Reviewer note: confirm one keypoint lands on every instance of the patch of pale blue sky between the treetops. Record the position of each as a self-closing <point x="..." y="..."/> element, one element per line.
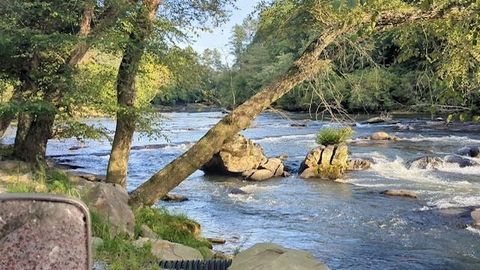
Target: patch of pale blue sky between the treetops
<point x="219" y="37"/>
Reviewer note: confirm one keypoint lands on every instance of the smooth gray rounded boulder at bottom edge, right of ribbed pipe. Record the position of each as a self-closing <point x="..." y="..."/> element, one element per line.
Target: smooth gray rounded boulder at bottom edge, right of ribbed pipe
<point x="275" y="257"/>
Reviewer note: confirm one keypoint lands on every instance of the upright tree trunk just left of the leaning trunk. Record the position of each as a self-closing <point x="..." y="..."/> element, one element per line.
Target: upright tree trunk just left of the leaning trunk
<point x="126" y="93"/>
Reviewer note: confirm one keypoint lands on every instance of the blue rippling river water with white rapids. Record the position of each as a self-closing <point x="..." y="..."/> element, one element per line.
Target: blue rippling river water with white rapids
<point x="347" y="225"/>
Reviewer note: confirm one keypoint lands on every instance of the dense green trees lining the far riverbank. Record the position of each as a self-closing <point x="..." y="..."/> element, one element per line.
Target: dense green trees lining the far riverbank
<point x="420" y="67"/>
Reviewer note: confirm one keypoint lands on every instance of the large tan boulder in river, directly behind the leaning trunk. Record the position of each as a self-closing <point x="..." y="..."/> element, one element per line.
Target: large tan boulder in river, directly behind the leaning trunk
<point x="242" y="156"/>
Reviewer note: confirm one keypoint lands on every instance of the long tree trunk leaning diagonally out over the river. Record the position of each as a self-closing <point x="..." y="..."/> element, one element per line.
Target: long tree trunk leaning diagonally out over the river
<point x="305" y="67"/>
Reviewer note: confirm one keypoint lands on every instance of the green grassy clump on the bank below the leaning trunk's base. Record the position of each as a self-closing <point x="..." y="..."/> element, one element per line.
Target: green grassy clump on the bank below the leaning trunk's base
<point x="172" y="227"/>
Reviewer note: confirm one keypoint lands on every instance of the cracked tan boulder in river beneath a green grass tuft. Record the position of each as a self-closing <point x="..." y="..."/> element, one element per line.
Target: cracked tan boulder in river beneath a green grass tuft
<point x="328" y="162"/>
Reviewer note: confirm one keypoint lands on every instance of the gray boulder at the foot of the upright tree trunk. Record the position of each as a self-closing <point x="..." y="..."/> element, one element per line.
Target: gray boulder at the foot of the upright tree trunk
<point x="111" y="202"/>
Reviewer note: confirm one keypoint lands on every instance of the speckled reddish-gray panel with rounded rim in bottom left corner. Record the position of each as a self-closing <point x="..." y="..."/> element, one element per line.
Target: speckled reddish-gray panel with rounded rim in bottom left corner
<point x="44" y="231"/>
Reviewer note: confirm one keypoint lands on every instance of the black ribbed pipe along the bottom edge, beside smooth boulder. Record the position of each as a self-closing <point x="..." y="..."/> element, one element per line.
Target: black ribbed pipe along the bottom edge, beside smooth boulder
<point x="196" y="265"/>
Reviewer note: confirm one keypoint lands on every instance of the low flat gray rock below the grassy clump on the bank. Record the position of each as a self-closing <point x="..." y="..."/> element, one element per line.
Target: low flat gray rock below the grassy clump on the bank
<point x="168" y="251"/>
